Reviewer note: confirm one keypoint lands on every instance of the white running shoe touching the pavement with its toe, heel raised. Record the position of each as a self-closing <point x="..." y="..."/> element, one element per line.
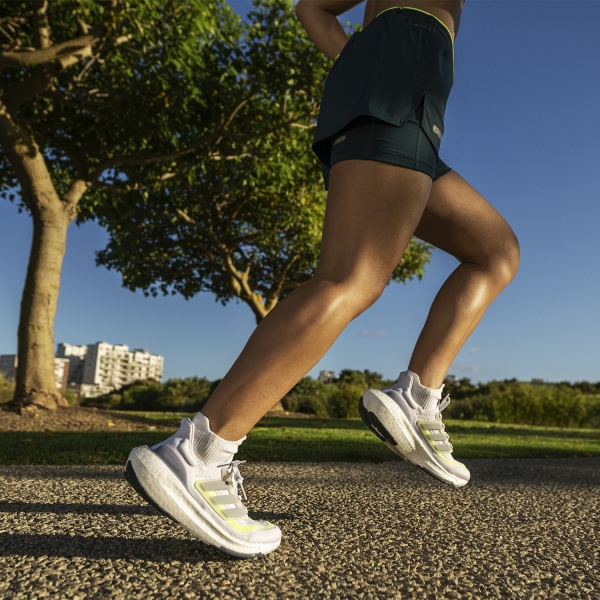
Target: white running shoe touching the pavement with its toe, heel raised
<point x="203" y="499"/>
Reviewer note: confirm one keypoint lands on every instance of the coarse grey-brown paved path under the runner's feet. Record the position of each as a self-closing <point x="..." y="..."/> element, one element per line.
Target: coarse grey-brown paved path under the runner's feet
<point x="521" y="529"/>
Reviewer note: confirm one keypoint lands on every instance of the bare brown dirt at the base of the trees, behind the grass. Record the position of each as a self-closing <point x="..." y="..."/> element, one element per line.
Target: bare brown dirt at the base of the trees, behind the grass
<point x="77" y="418"/>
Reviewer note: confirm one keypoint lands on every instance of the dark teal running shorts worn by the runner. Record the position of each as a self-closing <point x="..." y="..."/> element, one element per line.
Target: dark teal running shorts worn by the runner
<point x="386" y="94"/>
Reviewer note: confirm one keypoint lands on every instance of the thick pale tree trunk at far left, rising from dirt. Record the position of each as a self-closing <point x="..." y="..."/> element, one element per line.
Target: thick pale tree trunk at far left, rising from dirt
<point x="51" y="216"/>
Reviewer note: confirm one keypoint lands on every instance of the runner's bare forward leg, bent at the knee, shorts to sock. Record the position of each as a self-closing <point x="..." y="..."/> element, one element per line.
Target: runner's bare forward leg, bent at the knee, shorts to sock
<point x="458" y="220"/>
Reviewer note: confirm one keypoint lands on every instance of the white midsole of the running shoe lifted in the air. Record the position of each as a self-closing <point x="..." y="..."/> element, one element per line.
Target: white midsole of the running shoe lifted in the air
<point x="410" y="445"/>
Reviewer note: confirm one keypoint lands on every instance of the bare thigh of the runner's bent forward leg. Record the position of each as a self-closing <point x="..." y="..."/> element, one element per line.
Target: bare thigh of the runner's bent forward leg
<point x="460" y="221"/>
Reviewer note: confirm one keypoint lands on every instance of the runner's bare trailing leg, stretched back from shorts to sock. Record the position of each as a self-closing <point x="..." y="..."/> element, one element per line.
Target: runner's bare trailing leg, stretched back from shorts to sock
<point x="372" y="211"/>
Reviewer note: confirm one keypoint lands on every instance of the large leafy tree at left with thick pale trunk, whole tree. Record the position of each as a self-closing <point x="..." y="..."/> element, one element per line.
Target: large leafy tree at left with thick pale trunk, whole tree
<point x="97" y="98"/>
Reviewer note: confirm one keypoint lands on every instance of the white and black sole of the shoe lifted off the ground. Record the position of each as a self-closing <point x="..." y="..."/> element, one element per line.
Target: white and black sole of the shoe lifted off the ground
<point x="387" y="421"/>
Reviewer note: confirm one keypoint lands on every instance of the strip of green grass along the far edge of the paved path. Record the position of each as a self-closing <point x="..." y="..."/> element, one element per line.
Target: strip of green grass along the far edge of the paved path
<point x="282" y="439"/>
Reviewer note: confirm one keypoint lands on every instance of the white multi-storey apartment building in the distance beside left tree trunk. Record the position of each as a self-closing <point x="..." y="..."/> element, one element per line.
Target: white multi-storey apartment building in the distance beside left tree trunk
<point x="102" y="368"/>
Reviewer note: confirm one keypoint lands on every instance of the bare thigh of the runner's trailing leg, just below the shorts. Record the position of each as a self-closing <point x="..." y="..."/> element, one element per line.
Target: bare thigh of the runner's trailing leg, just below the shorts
<point x="372" y="211"/>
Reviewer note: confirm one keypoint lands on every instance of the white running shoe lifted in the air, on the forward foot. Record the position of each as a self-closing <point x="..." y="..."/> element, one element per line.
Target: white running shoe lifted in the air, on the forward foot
<point x="418" y="436"/>
